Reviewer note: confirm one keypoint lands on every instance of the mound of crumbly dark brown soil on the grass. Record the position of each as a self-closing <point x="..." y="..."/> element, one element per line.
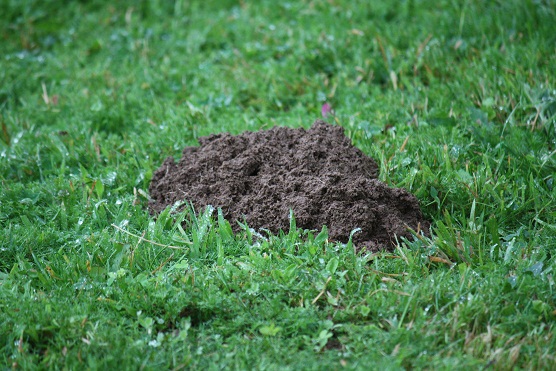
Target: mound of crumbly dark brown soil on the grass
<point x="259" y="176"/>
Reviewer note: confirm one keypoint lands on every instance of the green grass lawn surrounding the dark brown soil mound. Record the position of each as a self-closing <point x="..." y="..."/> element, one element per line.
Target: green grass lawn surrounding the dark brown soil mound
<point x="456" y="100"/>
